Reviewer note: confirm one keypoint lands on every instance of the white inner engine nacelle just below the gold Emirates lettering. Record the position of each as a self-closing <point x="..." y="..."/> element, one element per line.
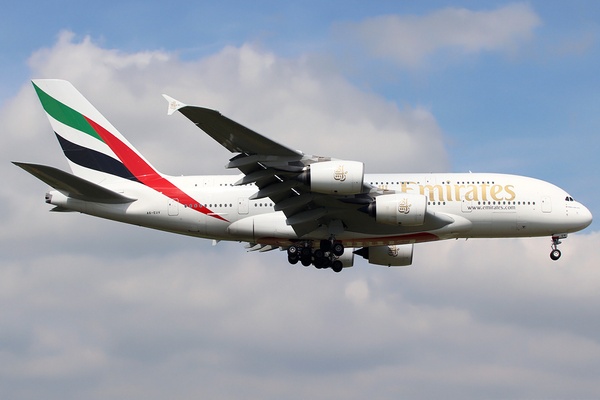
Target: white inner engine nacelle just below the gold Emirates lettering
<point x="404" y="209"/>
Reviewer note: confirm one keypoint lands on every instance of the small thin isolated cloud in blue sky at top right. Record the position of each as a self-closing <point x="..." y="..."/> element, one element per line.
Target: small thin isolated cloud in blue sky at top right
<point x="412" y="40"/>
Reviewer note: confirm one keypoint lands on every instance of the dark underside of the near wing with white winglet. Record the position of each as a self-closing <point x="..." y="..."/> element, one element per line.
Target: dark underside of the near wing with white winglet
<point x="281" y="175"/>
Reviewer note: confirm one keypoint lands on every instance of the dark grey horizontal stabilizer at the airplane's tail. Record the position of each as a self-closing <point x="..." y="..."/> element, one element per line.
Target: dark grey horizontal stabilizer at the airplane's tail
<point x="74" y="186"/>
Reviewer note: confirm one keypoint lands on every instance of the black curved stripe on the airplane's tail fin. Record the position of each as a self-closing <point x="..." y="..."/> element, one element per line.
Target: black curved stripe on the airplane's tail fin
<point x="93" y="159"/>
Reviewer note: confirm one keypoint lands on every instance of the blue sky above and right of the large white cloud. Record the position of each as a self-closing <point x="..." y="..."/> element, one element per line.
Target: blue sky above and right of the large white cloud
<point x="540" y="93"/>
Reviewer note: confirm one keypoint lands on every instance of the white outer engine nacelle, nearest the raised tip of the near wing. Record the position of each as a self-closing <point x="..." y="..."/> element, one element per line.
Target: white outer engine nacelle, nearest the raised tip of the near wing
<point x="336" y="177"/>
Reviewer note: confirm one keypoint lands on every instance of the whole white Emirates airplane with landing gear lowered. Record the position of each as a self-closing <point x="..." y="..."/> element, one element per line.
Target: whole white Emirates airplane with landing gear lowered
<point x="320" y="210"/>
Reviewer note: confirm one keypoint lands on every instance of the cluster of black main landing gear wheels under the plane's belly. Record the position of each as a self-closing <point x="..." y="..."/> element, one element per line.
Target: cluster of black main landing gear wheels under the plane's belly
<point x="325" y="256"/>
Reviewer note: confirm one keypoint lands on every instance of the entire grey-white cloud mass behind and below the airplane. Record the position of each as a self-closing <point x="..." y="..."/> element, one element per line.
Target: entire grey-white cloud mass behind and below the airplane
<point x="93" y="309"/>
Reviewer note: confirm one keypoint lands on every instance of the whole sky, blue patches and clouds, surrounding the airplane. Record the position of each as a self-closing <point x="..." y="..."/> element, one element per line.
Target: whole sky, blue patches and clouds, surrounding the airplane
<point x="94" y="309"/>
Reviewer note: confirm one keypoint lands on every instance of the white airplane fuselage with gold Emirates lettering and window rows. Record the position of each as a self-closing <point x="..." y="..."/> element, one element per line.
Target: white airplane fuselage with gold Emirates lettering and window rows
<point x="479" y="204"/>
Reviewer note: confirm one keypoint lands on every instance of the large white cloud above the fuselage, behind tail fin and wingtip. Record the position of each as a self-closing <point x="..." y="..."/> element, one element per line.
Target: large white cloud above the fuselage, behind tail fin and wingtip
<point x="289" y="100"/>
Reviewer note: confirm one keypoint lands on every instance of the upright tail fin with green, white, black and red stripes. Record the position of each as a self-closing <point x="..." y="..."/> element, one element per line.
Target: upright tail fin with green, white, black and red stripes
<point x="93" y="147"/>
